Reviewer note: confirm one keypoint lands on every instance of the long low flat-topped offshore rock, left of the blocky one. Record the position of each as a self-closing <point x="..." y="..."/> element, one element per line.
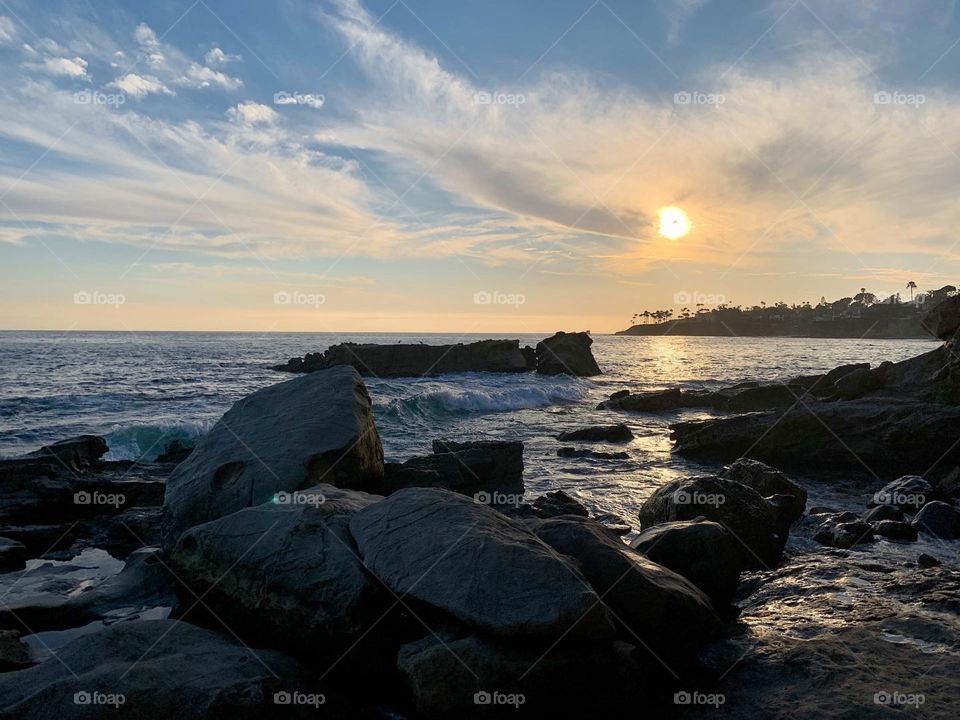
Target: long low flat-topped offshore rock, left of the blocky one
<point x="415" y="360"/>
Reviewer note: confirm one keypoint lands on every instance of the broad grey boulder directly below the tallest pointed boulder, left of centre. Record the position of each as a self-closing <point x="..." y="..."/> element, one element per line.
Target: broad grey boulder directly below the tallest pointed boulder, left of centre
<point x="287" y="574"/>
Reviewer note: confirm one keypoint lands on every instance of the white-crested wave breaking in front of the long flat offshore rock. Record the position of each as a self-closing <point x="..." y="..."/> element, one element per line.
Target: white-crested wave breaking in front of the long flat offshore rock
<point x="461" y="402"/>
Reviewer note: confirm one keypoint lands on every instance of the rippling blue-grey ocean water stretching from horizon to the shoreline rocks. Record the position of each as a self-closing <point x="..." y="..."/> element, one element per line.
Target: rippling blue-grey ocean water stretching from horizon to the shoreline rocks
<point x="142" y="390"/>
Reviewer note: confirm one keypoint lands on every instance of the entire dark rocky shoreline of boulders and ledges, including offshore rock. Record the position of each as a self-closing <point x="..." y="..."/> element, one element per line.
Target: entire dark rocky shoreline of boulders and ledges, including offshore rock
<point x="281" y="567"/>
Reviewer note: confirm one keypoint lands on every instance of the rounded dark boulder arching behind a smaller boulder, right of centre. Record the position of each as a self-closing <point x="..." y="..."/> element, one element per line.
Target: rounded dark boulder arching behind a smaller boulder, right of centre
<point x="738" y="508"/>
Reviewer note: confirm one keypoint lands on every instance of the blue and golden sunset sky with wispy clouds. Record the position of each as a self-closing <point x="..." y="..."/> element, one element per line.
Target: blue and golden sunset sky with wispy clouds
<point x="469" y="167"/>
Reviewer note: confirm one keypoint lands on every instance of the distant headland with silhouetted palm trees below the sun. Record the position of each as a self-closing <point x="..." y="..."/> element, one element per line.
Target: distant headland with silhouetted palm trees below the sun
<point x="862" y="316"/>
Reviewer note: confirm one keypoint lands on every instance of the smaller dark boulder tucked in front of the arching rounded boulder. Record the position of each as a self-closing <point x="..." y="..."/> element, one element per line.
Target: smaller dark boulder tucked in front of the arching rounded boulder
<point x="702" y="552"/>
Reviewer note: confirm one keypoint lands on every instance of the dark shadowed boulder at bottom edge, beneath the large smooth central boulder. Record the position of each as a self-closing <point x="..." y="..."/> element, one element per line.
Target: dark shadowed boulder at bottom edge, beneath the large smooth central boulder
<point x="476" y="677"/>
